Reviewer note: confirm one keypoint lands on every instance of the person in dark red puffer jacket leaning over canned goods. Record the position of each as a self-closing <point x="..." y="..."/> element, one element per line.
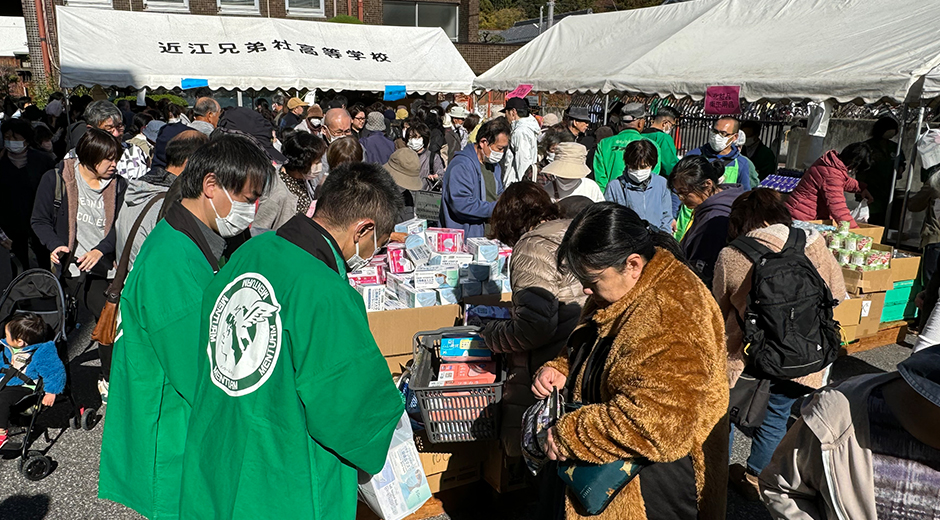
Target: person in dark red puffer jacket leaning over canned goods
<point x="820" y="194"/>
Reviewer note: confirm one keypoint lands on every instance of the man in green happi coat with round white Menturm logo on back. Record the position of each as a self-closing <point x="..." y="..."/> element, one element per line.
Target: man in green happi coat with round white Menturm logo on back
<point x="293" y="397"/>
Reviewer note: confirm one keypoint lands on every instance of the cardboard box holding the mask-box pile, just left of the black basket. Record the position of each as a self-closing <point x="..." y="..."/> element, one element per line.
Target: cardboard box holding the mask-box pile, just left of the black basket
<point x="394" y="330"/>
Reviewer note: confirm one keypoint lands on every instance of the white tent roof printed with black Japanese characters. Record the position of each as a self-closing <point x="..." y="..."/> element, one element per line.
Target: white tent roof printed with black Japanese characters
<point x="163" y="49"/>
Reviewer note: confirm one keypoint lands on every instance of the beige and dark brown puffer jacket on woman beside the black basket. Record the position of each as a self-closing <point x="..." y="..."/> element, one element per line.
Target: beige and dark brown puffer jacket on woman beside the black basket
<point x="545" y="309"/>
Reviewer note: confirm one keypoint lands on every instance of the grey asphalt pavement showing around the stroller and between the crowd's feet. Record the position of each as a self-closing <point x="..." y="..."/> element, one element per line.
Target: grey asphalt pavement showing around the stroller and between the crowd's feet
<point x="70" y="491"/>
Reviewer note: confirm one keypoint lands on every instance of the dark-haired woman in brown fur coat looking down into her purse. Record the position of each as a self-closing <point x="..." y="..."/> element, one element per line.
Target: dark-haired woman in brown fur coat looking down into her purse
<point x="654" y="383"/>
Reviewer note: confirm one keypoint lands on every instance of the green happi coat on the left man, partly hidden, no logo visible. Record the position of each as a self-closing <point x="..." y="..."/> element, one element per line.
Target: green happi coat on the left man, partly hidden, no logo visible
<point x="153" y="372"/>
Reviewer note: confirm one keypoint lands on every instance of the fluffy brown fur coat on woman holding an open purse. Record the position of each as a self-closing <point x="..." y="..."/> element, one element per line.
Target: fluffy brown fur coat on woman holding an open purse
<point x="665" y="388"/>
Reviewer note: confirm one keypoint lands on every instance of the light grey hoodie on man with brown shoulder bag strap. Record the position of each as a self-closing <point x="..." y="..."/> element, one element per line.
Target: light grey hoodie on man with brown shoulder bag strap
<point x="139" y="192"/>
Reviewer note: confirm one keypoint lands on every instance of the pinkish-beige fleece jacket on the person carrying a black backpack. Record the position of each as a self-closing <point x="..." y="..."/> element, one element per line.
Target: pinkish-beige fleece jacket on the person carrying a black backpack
<point x="732" y="284"/>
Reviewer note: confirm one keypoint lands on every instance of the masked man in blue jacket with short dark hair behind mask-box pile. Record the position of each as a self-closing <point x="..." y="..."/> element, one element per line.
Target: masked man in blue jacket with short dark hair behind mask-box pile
<point x="473" y="180"/>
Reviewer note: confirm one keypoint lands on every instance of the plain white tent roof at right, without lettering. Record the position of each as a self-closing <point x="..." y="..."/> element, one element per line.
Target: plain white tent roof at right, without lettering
<point x="773" y="49"/>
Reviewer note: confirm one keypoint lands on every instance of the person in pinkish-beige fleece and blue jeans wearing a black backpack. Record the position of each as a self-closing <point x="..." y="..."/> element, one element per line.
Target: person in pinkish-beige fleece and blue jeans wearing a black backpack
<point x="761" y="215"/>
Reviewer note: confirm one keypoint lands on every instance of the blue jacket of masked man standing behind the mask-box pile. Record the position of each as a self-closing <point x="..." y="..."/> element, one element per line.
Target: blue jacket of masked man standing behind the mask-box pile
<point x="463" y="201"/>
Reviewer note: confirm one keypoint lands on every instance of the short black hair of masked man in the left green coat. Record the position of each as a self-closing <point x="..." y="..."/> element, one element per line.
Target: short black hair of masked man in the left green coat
<point x="236" y="160"/>
